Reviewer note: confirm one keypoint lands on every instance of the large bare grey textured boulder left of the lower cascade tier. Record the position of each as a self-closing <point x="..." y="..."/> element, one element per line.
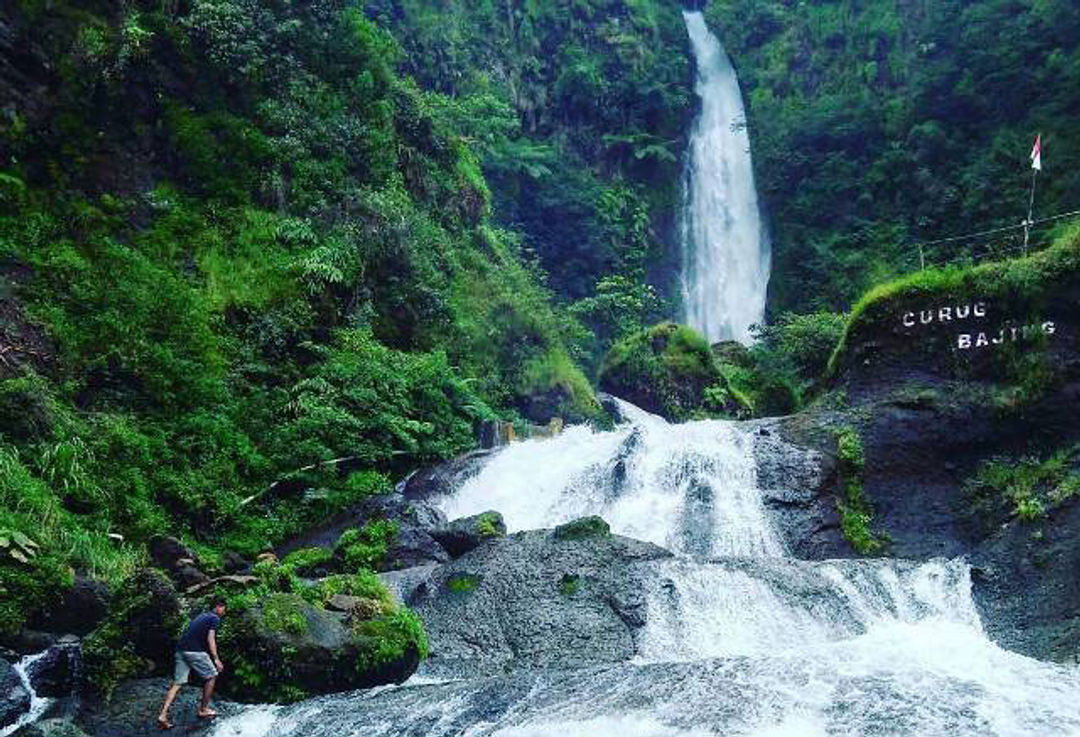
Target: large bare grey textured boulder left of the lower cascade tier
<point x="532" y="600"/>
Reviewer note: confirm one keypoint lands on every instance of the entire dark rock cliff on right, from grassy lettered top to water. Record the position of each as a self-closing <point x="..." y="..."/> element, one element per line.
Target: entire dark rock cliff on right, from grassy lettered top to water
<point x="964" y="390"/>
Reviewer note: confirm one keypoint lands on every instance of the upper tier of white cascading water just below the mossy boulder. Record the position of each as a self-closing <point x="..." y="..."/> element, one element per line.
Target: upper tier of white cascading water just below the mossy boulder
<point x="691" y="488"/>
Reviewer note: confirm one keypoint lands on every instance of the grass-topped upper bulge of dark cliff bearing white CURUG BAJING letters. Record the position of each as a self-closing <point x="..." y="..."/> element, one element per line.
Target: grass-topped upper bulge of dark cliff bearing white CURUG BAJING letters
<point x="1009" y="323"/>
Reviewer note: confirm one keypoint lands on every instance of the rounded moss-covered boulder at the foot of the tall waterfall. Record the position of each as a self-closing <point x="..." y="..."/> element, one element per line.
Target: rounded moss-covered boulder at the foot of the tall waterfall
<point x="668" y="370"/>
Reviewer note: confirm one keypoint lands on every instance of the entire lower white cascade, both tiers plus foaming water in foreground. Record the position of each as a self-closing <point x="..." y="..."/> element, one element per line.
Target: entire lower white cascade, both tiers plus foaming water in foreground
<point x="739" y="637"/>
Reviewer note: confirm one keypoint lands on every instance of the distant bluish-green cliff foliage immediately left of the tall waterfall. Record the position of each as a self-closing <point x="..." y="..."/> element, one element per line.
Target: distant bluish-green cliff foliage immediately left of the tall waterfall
<point x="580" y="131"/>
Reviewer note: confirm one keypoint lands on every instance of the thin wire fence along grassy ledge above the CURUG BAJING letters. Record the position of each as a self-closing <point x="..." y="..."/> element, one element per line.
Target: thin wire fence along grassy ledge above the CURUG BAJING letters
<point x="995" y="245"/>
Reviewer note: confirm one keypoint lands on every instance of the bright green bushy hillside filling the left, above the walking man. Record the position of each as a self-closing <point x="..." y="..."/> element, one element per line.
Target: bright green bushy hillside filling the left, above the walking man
<point x="232" y="354"/>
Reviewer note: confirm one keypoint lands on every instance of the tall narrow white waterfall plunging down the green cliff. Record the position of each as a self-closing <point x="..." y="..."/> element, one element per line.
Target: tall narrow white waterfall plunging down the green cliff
<point x="725" y="247"/>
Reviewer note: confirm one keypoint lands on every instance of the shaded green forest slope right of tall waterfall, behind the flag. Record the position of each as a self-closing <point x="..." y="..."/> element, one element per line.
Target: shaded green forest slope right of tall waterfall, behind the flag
<point x="881" y="125"/>
